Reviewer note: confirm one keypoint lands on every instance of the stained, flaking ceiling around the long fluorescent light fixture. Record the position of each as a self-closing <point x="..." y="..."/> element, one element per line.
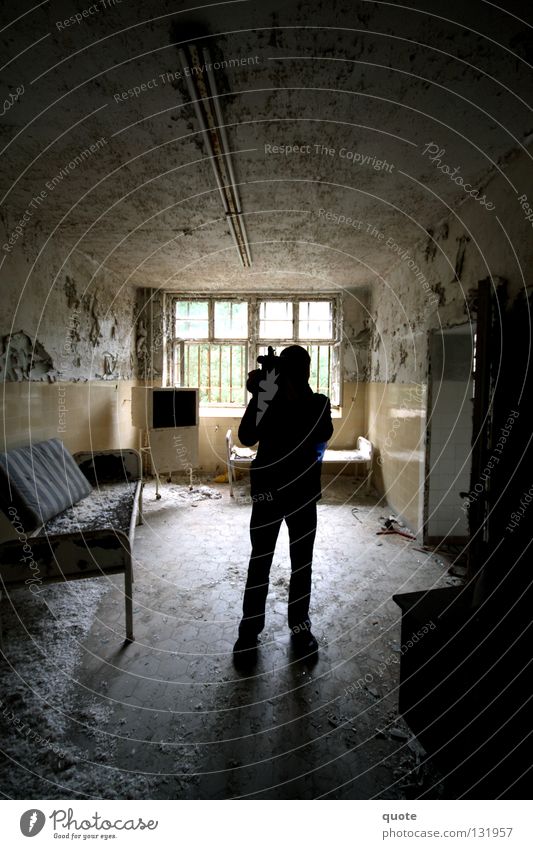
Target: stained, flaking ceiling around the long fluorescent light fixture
<point x="377" y="80"/>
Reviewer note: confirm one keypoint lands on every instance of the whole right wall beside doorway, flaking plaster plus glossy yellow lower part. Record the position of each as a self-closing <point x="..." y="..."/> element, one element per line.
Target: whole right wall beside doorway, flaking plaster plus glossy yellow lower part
<point x="468" y="246"/>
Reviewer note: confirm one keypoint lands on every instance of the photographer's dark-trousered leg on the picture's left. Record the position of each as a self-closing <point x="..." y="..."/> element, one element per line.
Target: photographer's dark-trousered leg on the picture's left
<point x="264" y="529"/>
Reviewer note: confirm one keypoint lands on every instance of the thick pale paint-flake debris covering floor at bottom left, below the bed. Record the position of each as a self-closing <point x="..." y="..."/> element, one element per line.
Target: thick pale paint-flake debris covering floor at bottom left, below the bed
<point x="41" y="715"/>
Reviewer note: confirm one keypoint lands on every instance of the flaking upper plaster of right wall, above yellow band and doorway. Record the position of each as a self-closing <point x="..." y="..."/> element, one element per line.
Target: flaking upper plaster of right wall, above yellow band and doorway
<point x="468" y="246"/>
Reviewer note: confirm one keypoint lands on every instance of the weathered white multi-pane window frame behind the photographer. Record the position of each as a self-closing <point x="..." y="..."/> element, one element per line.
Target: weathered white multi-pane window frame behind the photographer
<point x="253" y="341"/>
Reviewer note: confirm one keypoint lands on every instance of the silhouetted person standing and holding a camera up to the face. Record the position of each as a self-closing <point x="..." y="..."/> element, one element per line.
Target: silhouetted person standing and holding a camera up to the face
<point x="292" y="424"/>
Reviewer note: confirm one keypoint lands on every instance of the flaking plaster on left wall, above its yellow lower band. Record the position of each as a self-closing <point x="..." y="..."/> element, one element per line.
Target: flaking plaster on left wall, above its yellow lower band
<point x="76" y="325"/>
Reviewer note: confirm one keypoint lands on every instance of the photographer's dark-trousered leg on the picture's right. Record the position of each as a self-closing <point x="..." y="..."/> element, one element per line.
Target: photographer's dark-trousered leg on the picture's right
<point x="302" y="531"/>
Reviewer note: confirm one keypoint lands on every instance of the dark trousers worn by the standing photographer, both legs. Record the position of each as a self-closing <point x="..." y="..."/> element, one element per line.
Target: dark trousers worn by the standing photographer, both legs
<point x="265" y="523"/>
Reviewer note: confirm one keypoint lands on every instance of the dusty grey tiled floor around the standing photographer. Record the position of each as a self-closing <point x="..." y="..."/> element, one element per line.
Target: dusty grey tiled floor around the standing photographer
<point x="172" y="715"/>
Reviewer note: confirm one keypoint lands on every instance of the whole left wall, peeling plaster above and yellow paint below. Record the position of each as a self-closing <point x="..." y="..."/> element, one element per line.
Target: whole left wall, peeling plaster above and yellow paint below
<point x="67" y="356"/>
